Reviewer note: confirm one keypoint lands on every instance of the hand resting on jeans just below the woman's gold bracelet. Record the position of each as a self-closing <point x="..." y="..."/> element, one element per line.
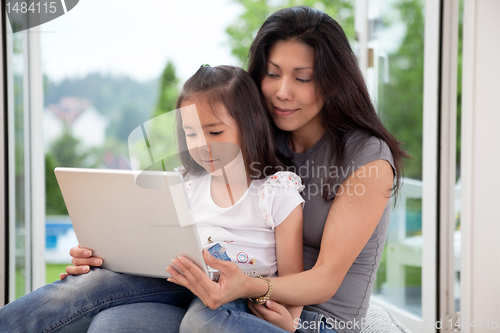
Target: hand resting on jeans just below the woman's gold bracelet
<point x="274" y="313"/>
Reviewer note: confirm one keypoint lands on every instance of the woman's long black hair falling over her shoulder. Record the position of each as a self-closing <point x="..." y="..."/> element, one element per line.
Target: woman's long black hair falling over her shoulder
<point x="347" y="106"/>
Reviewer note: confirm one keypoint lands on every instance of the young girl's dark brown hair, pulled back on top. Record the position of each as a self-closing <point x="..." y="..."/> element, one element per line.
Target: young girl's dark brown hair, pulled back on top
<point x="233" y="88"/>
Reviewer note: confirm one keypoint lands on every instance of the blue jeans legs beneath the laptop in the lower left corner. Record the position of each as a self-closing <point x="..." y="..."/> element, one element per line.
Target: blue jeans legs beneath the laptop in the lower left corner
<point x="100" y="301"/>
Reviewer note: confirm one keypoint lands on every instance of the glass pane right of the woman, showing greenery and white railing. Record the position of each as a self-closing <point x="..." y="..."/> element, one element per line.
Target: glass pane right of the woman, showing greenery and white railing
<point x="396" y="84"/>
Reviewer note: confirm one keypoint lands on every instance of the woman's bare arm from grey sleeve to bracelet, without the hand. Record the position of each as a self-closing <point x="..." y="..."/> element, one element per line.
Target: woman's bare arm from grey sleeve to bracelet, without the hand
<point x="352" y="218"/>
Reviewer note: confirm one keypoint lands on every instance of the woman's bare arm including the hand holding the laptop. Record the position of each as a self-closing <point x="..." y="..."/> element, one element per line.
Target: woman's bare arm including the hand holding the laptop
<point x="351" y="221"/>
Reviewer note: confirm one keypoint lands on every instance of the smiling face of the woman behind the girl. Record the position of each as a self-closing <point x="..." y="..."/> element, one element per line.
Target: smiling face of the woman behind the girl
<point x="290" y="89"/>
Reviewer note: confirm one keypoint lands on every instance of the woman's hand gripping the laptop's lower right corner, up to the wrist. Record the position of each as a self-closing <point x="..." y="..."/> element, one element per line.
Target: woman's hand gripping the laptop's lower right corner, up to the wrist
<point x="212" y="294"/>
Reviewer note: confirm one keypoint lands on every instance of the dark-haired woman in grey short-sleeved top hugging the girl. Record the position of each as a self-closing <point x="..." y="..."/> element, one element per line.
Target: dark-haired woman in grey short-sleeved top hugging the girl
<point x="329" y="131"/>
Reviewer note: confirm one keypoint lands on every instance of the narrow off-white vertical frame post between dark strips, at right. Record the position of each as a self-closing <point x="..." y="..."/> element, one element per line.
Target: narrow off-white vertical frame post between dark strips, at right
<point x="447" y="162"/>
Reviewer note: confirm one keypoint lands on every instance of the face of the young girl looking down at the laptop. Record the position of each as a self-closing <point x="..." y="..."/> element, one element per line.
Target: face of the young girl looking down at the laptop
<point x="213" y="142"/>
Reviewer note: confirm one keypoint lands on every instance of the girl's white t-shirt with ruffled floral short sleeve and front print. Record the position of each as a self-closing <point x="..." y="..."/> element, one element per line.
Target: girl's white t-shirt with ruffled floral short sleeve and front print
<point x="246" y="229"/>
